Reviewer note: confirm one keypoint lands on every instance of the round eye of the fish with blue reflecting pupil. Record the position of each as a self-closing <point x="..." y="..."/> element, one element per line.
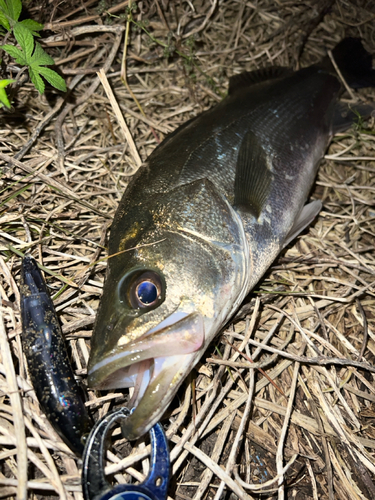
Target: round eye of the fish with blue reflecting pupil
<point x="145" y="290"/>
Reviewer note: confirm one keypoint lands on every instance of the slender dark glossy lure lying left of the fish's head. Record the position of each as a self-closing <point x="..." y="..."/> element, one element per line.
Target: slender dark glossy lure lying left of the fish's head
<point x="48" y="362"/>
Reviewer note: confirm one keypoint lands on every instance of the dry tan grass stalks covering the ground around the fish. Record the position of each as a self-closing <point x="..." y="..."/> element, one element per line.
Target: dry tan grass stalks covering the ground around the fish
<point x="65" y="166"/>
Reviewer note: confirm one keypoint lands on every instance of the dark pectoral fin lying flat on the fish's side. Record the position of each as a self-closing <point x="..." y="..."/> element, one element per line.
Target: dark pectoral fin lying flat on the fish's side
<point x="253" y="176"/>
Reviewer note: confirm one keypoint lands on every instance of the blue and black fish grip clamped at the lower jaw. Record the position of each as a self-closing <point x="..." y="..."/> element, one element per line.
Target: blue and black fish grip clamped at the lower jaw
<point x="94" y="484"/>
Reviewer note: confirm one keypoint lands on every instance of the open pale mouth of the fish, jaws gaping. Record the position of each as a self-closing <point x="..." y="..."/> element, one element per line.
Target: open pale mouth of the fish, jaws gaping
<point x="155" y="365"/>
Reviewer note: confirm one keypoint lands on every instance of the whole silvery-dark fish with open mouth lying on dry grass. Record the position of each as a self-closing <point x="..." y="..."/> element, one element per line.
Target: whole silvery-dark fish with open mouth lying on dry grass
<point x="204" y="218"/>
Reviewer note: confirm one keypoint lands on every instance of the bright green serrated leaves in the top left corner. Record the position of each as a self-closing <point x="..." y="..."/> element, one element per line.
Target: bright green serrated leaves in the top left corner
<point x="30" y="54"/>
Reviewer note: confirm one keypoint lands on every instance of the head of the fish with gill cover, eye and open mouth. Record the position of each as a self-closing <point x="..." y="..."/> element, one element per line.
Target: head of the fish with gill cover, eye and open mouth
<point x="177" y="272"/>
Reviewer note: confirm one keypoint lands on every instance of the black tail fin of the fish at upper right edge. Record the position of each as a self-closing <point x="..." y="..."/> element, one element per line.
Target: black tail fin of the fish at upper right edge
<point x="354" y="63"/>
